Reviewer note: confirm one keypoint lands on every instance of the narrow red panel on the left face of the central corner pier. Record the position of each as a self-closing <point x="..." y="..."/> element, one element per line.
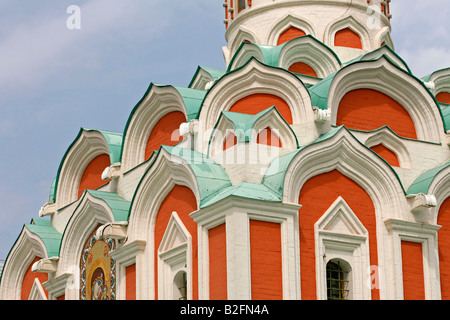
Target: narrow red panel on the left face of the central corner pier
<point x="217" y="263"/>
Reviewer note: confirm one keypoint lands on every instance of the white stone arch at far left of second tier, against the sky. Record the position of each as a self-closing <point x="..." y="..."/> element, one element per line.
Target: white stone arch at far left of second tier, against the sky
<point x="87" y="146"/>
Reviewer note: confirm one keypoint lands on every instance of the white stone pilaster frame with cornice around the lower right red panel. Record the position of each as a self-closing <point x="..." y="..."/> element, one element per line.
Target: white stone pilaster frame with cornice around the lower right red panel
<point x="426" y="234"/>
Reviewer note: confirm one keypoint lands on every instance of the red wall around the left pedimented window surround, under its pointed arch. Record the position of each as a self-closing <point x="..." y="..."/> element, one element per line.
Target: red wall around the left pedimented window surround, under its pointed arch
<point x="182" y="200"/>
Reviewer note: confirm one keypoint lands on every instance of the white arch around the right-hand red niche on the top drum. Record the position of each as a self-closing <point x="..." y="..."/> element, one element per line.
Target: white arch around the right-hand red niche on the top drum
<point x="353" y="24"/>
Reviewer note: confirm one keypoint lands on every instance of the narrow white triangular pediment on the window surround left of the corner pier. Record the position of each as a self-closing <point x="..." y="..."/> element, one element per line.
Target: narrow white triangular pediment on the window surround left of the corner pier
<point x="175" y="235"/>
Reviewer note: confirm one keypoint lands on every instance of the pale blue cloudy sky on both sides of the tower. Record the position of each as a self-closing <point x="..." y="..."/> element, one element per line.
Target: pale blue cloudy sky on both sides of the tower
<point x="54" y="80"/>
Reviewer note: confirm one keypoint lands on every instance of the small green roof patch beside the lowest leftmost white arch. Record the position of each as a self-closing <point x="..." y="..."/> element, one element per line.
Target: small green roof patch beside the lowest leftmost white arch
<point x="48" y="234"/>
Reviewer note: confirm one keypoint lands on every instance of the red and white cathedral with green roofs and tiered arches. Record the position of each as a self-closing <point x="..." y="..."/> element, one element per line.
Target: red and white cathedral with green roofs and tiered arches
<point x="316" y="166"/>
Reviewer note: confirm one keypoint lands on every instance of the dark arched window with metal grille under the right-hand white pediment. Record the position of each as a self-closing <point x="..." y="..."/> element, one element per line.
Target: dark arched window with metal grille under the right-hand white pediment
<point x="337" y="281"/>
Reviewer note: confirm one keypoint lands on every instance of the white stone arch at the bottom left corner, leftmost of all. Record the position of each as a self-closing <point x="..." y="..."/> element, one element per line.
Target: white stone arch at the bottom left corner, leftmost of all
<point x="27" y="246"/>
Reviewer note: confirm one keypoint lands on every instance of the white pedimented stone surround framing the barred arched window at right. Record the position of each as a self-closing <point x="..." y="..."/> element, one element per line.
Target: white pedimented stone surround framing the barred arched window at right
<point x="340" y="235"/>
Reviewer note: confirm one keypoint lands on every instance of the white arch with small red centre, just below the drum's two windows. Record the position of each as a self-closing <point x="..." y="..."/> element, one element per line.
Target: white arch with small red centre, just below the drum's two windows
<point x="312" y="52"/>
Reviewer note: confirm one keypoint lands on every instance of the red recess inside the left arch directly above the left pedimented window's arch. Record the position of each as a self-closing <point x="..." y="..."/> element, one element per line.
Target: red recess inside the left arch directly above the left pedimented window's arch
<point x="162" y="132"/>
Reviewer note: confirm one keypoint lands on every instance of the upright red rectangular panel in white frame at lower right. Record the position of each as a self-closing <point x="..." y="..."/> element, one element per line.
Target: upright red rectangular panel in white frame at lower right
<point x="412" y="265"/>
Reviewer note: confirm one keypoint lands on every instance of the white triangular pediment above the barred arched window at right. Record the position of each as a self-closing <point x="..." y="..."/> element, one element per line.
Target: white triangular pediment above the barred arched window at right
<point x="339" y="218"/>
